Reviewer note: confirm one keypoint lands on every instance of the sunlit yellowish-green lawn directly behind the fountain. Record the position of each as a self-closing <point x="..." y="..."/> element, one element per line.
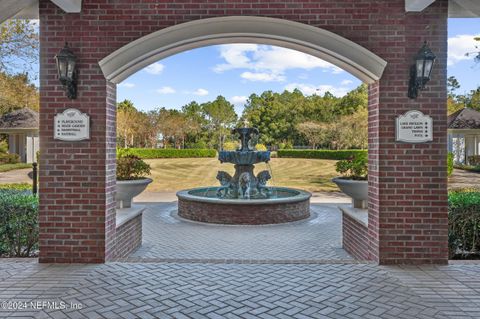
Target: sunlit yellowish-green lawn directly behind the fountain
<point x="174" y="174"/>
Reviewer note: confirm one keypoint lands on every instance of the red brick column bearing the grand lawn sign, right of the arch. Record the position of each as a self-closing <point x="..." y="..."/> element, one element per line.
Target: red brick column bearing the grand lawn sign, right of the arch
<point x="408" y="220"/>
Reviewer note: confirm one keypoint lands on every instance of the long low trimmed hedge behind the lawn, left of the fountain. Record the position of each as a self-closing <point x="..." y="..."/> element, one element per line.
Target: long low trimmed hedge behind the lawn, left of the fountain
<point x="150" y="153"/>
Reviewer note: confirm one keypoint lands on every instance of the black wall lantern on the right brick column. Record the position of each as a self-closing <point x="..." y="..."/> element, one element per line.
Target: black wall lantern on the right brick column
<point x="420" y="72"/>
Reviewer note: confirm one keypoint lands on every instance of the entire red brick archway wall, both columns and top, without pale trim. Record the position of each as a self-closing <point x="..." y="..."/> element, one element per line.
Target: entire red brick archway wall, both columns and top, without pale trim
<point x="408" y="220"/>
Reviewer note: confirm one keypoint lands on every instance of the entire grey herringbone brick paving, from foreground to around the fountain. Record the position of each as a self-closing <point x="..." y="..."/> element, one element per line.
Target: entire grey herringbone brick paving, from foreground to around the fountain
<point x="201" y="286"/>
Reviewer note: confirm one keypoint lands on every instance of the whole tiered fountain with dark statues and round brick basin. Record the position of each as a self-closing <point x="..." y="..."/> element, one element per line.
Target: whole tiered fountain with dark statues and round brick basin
<point x="244" y="198"/>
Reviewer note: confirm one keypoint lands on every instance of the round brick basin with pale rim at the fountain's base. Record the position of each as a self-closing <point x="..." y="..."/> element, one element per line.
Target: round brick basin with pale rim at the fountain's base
<point x="202" y="205"/>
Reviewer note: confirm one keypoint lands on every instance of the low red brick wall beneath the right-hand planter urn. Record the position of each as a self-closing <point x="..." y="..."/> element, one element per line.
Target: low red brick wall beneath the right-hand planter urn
<point x="355" y="238"/>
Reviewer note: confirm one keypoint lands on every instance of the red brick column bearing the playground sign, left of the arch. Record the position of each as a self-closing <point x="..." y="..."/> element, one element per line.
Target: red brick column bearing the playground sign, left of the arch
<point x="77" y="179"/>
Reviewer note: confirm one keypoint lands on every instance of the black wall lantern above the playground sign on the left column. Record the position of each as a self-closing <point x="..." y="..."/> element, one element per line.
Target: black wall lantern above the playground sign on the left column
<point x="67" y="74"/>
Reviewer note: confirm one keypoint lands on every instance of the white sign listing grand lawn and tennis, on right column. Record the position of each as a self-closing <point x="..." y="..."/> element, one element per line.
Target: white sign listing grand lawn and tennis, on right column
<point x="414" y="127"/>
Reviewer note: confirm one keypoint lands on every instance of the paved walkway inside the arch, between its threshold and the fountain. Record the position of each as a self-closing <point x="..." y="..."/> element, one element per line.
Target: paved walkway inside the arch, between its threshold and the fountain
<point x="168" y="237"/>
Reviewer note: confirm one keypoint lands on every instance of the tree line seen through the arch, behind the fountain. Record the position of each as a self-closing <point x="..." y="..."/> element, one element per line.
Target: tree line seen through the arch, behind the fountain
<point x="283" y="119"/>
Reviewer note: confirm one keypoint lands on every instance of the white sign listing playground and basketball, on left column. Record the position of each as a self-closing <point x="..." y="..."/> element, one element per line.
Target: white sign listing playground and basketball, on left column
<point x="72" y="125"/>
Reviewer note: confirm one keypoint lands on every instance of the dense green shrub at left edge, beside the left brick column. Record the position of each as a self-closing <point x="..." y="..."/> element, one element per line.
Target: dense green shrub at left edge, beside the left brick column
<point x="18" y="223"/>
